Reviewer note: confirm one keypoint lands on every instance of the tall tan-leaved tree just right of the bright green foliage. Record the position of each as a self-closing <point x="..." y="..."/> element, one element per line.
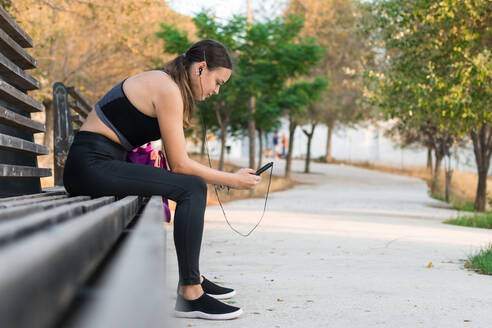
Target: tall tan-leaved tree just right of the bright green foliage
<point x="334" y="24"/>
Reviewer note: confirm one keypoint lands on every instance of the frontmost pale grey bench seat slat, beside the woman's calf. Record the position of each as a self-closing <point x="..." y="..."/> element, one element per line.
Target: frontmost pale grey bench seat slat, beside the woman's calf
<point x="131" y="292"/>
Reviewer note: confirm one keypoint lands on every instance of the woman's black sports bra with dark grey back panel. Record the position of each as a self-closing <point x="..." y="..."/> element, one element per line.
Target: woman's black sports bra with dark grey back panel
<point x="132" y="127"/>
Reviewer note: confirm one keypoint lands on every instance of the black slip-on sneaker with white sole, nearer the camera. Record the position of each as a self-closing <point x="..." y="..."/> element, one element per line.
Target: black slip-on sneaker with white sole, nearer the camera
<point x="205" y="307"/>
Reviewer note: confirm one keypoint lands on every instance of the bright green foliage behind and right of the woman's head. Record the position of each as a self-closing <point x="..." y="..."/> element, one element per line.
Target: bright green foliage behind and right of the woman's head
<point x="265" y="56"/>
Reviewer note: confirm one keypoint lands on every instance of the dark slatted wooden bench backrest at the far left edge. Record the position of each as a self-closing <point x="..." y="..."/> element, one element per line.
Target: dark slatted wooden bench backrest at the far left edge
<point x="19" y="171"/>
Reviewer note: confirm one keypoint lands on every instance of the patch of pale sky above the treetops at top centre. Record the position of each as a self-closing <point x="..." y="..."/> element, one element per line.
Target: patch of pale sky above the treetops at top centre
<point x="224" y="9"/>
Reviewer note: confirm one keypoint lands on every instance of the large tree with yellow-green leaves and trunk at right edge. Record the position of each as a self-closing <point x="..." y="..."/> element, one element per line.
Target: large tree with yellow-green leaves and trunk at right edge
<point x="438" y="69"/>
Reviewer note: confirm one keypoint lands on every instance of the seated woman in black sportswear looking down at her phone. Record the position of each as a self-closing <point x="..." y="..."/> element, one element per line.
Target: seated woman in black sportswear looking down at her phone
<point x="149" y="106"/>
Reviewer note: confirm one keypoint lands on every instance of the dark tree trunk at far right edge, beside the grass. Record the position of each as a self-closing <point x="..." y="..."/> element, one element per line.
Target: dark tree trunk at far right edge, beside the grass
<point x="482" y="147"/>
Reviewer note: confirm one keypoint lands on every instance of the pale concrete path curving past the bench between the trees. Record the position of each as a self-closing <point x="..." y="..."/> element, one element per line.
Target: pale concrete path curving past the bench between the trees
<point x="349" y="249"/>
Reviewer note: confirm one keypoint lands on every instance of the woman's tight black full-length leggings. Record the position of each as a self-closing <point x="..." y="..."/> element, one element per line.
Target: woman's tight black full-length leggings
<point x="96" y="167"/>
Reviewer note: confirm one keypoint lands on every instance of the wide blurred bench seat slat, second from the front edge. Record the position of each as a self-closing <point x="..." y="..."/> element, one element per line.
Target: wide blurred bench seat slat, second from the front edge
<point x="39" y="277"/>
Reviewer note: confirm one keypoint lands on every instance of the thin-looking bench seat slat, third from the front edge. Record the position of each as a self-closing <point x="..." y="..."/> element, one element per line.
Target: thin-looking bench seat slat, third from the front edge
<point x="12" y="230"/>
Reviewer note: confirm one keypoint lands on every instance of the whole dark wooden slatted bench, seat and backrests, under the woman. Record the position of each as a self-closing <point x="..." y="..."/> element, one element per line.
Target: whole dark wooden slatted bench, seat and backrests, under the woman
<point x="67" y="261"/>
